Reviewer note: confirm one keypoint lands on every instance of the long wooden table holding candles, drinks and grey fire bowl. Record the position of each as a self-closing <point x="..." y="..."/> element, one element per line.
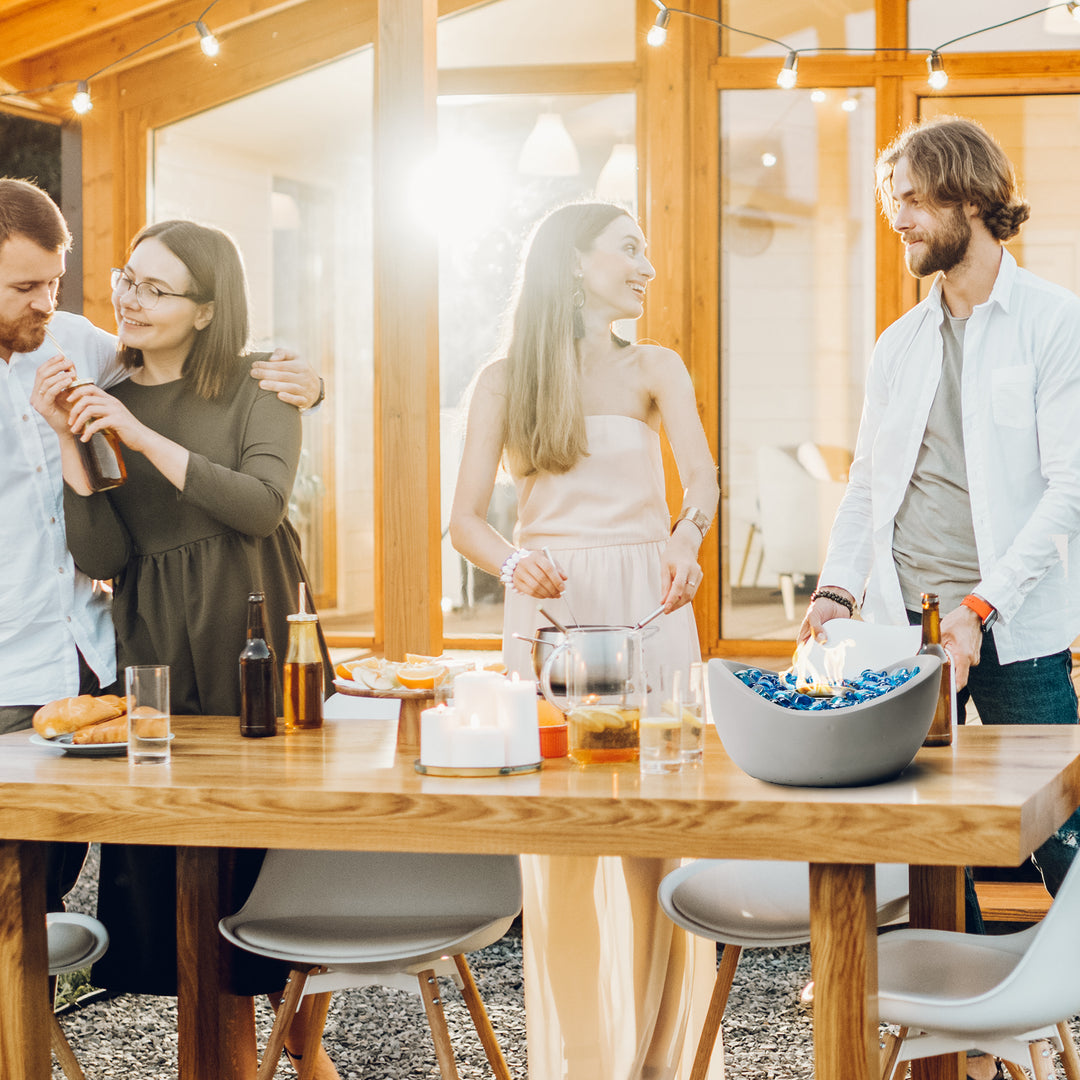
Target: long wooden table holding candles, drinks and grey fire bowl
<point x="989" y="801"/>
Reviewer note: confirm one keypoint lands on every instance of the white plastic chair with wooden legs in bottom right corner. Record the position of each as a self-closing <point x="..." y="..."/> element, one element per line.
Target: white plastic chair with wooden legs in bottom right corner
<point x="1002" y="994"/>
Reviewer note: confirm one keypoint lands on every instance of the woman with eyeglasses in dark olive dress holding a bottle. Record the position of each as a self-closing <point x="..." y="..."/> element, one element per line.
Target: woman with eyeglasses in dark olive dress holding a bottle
<point x="199" y="525"/>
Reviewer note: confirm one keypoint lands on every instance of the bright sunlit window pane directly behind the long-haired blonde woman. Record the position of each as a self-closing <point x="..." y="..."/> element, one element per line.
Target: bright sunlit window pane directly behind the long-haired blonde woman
<point x="490" y="207"/>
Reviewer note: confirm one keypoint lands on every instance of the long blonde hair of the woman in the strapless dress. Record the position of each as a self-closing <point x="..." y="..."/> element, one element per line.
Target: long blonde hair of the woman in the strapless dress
<point x="546" y="425"/>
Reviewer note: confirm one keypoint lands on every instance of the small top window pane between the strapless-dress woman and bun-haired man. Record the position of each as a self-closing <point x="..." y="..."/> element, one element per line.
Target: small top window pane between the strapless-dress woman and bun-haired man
<point x="805" y="25"/>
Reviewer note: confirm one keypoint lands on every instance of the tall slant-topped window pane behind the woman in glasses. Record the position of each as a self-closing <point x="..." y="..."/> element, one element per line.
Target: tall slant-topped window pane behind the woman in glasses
<point x="300" y="207"/>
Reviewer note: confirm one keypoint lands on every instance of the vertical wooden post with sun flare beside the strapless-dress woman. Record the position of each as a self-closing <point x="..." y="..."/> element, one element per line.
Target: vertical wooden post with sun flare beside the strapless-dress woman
<point x="407" y="334"/>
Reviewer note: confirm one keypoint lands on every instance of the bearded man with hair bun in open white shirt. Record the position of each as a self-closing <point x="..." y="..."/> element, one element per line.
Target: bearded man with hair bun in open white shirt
<point x="966" y="480"/>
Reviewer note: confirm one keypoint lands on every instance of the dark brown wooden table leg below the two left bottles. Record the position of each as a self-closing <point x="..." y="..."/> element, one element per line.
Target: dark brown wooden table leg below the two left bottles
<point x="217" y="1029"/>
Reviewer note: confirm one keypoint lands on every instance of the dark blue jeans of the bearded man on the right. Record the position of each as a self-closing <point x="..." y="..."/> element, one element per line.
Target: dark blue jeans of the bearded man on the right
<point x="1029" y="692"/>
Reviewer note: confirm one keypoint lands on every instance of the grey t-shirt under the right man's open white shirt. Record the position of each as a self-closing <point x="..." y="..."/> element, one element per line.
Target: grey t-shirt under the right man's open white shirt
<point x="934" y="543"/>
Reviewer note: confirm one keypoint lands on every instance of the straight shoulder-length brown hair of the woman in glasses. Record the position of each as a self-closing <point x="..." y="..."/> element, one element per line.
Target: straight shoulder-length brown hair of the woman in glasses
<point x="218" y="274"/>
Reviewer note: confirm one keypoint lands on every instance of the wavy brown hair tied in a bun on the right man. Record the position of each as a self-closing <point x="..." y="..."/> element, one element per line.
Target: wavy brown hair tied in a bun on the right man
<point x="954" y="160"/>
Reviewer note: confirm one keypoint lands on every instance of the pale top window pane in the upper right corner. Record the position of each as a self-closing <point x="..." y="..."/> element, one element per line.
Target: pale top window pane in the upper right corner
<point x="931" y="23"/>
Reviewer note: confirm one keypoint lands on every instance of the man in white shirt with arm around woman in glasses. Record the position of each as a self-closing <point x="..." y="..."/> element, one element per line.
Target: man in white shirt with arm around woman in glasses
<point x="56" y="632"/>
